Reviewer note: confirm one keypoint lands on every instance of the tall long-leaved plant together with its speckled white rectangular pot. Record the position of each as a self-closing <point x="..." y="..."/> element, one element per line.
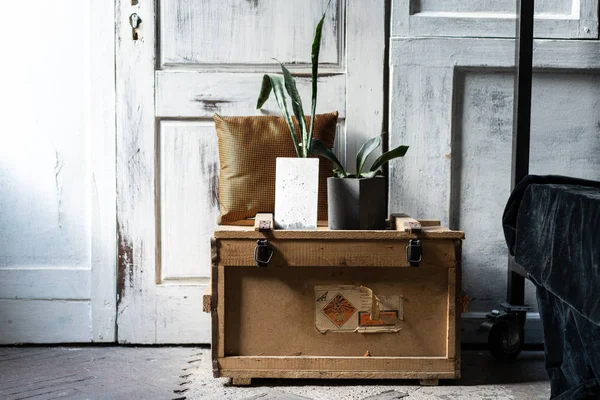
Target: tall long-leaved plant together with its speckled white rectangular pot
<point x="296" y="182"/>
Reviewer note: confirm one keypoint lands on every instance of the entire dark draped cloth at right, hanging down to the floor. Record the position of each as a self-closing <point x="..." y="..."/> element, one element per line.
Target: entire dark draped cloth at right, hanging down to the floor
<point x="552" y="228"/>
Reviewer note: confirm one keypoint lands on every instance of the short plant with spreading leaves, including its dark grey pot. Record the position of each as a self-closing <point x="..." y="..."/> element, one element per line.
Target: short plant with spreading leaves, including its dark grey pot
<point x="358" y="201"/>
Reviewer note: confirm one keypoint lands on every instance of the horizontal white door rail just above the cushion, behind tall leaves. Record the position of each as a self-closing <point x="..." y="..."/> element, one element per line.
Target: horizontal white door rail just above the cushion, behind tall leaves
<point x="201" y="95"/>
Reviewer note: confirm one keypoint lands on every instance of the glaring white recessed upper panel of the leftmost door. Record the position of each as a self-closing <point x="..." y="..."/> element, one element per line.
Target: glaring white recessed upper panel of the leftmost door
<point x="44" y="210"/>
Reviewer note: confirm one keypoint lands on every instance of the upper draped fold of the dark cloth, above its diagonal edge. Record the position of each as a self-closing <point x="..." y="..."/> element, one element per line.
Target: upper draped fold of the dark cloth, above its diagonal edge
<point x="552" y="228"/>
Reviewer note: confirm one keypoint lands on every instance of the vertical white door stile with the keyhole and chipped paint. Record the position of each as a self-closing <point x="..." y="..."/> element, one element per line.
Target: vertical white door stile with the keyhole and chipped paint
<point x="136" y="210"/>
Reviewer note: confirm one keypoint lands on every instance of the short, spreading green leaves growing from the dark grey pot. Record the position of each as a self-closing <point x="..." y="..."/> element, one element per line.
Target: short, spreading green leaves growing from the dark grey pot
<point x="319" y="149"/>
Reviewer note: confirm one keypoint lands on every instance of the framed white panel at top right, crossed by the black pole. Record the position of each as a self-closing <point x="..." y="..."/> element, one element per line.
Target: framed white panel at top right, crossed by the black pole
<point x="565" y="19"/>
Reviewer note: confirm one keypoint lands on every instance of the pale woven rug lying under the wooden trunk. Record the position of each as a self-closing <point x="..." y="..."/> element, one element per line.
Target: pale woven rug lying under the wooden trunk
<point x="529" y="383"/>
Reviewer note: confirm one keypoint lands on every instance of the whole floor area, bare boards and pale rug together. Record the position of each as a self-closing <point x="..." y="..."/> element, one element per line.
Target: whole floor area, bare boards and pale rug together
<point x="185" y="373"/>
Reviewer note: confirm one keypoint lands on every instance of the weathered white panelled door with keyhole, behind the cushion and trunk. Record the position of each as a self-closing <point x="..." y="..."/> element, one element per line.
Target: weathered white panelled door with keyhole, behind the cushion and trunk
<point x="190" y="60"/>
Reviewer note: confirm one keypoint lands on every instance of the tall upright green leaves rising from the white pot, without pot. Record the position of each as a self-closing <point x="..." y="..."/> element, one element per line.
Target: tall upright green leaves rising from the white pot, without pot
<point x="280" y="84"/>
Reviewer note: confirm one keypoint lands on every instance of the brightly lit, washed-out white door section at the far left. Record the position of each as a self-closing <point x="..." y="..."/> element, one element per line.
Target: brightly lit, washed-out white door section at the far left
<point x="56" y="172"/>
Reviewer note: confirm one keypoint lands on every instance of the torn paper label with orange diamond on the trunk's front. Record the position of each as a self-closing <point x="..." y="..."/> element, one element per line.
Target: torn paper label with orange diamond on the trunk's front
<point x="349" y="308"/>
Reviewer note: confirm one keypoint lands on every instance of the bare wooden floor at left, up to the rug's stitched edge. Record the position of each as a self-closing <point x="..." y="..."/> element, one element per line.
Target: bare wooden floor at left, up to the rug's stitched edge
<point x="36" y="373"/>
